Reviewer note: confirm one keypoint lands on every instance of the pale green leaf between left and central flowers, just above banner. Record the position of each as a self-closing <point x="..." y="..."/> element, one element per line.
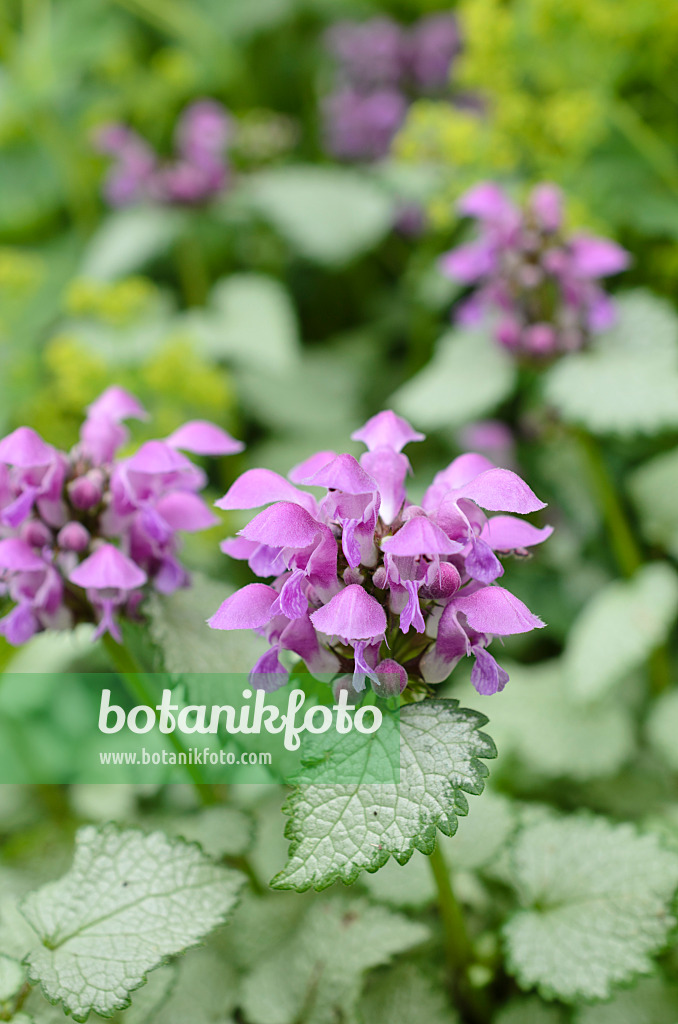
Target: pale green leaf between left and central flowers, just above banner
<point x="179" y="628"/>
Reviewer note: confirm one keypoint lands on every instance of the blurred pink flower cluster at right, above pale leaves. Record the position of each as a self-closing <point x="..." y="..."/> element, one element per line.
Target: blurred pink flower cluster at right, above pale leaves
<point x="540" y="286"/>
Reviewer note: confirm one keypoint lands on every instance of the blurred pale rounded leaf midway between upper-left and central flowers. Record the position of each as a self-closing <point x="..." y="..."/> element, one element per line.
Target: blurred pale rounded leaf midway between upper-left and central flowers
<point x="252" y="322"/>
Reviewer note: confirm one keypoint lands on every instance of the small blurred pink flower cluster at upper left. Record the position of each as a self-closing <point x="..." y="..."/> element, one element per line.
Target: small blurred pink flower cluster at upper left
<point x="199" y="172"/>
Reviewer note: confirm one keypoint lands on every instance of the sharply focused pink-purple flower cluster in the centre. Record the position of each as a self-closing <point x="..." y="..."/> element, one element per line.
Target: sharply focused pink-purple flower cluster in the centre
<point x="367" y="585"/>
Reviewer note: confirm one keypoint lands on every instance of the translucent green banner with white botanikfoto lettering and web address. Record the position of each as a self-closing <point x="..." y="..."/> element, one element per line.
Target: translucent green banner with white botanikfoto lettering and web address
<point x="204" y="729"/>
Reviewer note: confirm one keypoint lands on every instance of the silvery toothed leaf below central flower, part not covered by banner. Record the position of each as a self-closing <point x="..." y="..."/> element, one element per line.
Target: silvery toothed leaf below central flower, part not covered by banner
<point x="338" y="831"/>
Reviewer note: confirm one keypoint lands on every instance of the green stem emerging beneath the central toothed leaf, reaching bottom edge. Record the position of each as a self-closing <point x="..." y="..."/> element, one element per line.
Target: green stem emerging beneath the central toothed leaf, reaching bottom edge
<point x="459" y="951"/>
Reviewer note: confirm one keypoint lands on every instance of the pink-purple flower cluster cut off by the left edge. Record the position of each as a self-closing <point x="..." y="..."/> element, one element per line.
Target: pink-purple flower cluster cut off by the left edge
<point x="82" y="533"/>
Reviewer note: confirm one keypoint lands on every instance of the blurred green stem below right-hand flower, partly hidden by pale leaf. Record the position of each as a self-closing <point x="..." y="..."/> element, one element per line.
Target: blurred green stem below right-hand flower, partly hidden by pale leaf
<point x="627" y="550"/>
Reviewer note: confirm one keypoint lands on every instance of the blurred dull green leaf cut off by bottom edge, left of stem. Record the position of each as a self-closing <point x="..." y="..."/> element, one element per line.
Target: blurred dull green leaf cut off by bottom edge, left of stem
<point x="406" y="994"/>
